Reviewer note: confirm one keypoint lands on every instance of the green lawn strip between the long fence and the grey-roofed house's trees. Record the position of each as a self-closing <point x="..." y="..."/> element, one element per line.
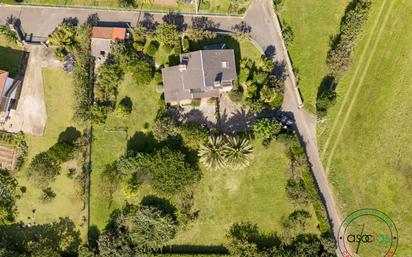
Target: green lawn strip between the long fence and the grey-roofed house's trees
<point x="111" y="141"/>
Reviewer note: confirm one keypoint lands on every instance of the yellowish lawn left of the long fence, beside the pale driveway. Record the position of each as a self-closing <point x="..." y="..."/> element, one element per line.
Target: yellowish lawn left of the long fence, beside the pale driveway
<point x="59" y="100"/>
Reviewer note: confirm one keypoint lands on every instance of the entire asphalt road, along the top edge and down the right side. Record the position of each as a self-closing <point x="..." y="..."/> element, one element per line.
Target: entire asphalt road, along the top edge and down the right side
<point x="264" y="30"/>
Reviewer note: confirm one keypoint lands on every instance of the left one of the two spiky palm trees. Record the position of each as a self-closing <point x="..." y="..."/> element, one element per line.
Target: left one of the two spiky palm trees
<point x="212" y="153"/>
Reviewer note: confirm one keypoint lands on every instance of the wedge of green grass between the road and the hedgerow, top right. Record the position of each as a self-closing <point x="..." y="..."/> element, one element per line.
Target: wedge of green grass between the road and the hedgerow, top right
<point x="312" y="22"/>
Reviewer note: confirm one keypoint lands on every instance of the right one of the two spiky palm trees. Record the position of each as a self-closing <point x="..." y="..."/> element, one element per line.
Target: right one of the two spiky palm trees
<point x="238" y="152"/>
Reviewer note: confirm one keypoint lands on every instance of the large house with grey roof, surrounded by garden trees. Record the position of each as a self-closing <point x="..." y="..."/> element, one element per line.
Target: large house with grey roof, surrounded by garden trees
<point x="200" y="76"/>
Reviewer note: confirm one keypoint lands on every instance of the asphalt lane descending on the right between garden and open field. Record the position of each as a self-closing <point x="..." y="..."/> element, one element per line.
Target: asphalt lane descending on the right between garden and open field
<point x="266" y="31"/>
